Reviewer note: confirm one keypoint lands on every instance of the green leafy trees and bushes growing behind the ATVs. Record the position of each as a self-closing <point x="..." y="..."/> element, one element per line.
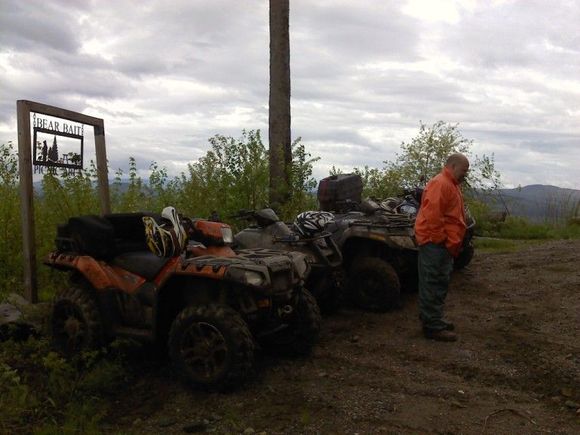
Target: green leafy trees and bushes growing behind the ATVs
<point x="231" y="176"/>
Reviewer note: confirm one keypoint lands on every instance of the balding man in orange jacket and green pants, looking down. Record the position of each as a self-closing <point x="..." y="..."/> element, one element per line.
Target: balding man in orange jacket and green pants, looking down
<point x="439" y="231"/>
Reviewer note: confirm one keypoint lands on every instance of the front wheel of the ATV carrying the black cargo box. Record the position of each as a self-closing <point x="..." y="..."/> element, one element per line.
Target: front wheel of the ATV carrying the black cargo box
<point x="374" y="285"/>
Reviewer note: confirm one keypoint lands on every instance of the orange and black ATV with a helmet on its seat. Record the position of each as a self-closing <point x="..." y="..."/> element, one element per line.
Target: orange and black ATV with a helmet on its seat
<point x="205" y="303"/>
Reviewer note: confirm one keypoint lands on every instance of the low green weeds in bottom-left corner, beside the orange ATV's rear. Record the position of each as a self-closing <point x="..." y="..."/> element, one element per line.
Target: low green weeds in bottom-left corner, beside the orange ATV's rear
<point x="42" y="392"/>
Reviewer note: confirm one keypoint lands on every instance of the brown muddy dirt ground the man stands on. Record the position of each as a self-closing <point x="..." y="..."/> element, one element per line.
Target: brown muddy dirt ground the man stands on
<point x="514" y="370"/>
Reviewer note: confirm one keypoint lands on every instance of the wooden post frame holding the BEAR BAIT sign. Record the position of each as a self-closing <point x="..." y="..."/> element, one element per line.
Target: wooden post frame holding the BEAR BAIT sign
<point x="24" y="108"/>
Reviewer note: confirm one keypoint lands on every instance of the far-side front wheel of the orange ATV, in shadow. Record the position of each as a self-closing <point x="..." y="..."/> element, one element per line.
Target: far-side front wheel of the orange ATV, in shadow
<point x="303" y="328"/>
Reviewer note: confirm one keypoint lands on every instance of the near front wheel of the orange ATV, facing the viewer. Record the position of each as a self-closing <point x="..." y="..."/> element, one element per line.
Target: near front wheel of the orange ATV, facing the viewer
<point x="211" y="346"/>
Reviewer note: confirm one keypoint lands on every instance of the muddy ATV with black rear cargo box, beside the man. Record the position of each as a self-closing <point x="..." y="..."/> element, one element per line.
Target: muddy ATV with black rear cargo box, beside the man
<point x="378" y="249"/>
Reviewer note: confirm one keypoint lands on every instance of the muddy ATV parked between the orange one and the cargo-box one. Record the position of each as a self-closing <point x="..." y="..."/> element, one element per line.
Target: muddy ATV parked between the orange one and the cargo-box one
<point x="305" y="235"/>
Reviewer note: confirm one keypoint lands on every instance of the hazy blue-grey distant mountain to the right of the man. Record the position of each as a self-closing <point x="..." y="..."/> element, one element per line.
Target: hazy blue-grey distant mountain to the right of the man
<point x="536" y="202"/>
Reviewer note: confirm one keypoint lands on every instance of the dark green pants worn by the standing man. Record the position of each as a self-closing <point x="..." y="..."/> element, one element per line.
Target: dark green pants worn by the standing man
<point x="435" y="266"/>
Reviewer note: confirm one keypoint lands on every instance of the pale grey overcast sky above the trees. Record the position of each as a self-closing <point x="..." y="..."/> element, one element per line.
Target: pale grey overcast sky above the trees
<point x="166" y="75"/>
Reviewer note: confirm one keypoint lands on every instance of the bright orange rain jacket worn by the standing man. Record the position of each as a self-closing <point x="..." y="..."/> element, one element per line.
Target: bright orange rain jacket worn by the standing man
<point x="441" y="218"/>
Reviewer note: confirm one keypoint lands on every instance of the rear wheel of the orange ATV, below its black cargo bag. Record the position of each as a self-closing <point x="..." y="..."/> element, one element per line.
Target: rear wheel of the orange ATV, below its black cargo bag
<point x="76" y="322"/>
